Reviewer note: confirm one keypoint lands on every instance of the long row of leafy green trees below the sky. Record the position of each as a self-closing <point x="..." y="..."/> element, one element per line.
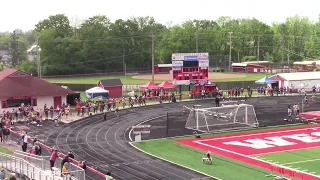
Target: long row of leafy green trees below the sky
<point x="98" y="45"/>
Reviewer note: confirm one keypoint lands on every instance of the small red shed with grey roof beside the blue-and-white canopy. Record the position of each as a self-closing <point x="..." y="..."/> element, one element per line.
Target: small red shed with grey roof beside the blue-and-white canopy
<point x="114" y="86"/>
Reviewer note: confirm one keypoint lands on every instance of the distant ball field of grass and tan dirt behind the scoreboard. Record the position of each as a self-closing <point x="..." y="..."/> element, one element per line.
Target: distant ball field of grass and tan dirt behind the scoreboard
<point x="215" y="77"/>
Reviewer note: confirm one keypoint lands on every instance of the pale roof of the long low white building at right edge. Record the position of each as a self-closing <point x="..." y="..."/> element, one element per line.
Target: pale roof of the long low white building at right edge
<point x="299" y="76"/>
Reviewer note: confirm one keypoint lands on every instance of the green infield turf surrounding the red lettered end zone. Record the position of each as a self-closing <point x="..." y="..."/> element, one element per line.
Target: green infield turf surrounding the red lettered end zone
<point x="305" y="159"/>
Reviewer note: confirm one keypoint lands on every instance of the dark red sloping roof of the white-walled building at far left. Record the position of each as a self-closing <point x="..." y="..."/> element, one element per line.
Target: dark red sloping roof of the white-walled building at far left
<point x="15" y="83"/>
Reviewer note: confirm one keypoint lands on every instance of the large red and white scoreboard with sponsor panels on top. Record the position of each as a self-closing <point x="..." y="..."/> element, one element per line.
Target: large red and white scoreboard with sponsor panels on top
<point x="190" y="68"/>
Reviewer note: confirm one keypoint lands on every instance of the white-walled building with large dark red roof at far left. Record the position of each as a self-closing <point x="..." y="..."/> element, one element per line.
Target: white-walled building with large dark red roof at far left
<point x="17" y="87"/>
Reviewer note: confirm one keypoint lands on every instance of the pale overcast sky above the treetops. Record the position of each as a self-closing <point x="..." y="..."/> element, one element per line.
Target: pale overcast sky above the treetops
<point x="24" y="14"/>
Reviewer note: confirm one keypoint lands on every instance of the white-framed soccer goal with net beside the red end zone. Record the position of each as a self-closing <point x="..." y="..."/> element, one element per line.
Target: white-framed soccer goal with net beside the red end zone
<point x="221" y="118"/>
